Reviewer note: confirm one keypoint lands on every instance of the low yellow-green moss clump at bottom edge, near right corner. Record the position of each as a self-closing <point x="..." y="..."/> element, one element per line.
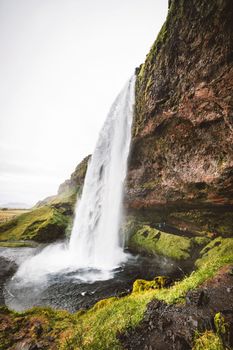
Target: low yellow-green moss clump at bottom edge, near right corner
<point x="208" y="341"/>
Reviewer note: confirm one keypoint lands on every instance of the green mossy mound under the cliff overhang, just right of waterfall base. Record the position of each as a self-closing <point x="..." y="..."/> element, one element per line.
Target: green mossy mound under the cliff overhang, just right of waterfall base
<point x="153" y="241"/>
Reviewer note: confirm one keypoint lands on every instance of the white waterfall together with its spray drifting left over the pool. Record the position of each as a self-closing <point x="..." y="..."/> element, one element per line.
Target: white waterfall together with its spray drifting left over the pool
<point x="96" y="247"/>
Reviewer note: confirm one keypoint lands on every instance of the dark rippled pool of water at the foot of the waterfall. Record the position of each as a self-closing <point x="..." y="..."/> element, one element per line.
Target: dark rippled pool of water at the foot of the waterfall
<point x="77" y="289"/>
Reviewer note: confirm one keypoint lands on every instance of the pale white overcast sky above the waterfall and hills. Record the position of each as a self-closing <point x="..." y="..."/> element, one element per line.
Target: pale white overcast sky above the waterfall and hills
<point x="62" y="64"/>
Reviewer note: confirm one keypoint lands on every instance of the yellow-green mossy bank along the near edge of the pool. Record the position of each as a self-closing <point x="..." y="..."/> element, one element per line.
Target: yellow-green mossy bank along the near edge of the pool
<point x="99" y="327"/>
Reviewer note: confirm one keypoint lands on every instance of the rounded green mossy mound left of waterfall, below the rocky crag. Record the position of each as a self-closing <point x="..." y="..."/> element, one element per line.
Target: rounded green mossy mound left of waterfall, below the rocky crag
<point x="41" y="224"/>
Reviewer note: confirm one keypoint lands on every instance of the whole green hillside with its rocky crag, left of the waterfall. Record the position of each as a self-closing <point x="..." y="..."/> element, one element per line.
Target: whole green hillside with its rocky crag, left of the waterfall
<point x="51" y="218"/>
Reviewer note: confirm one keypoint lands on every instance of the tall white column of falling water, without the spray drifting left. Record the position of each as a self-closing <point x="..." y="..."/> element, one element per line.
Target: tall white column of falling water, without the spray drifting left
<point x="96" y="241"/>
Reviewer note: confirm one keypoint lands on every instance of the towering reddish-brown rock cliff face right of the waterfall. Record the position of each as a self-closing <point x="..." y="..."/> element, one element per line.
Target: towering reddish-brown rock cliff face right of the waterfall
<point x="181" y="165"/>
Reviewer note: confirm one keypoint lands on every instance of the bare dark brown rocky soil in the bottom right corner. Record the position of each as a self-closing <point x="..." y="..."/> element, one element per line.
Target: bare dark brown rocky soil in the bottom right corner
<point x="168" y="327"/>
